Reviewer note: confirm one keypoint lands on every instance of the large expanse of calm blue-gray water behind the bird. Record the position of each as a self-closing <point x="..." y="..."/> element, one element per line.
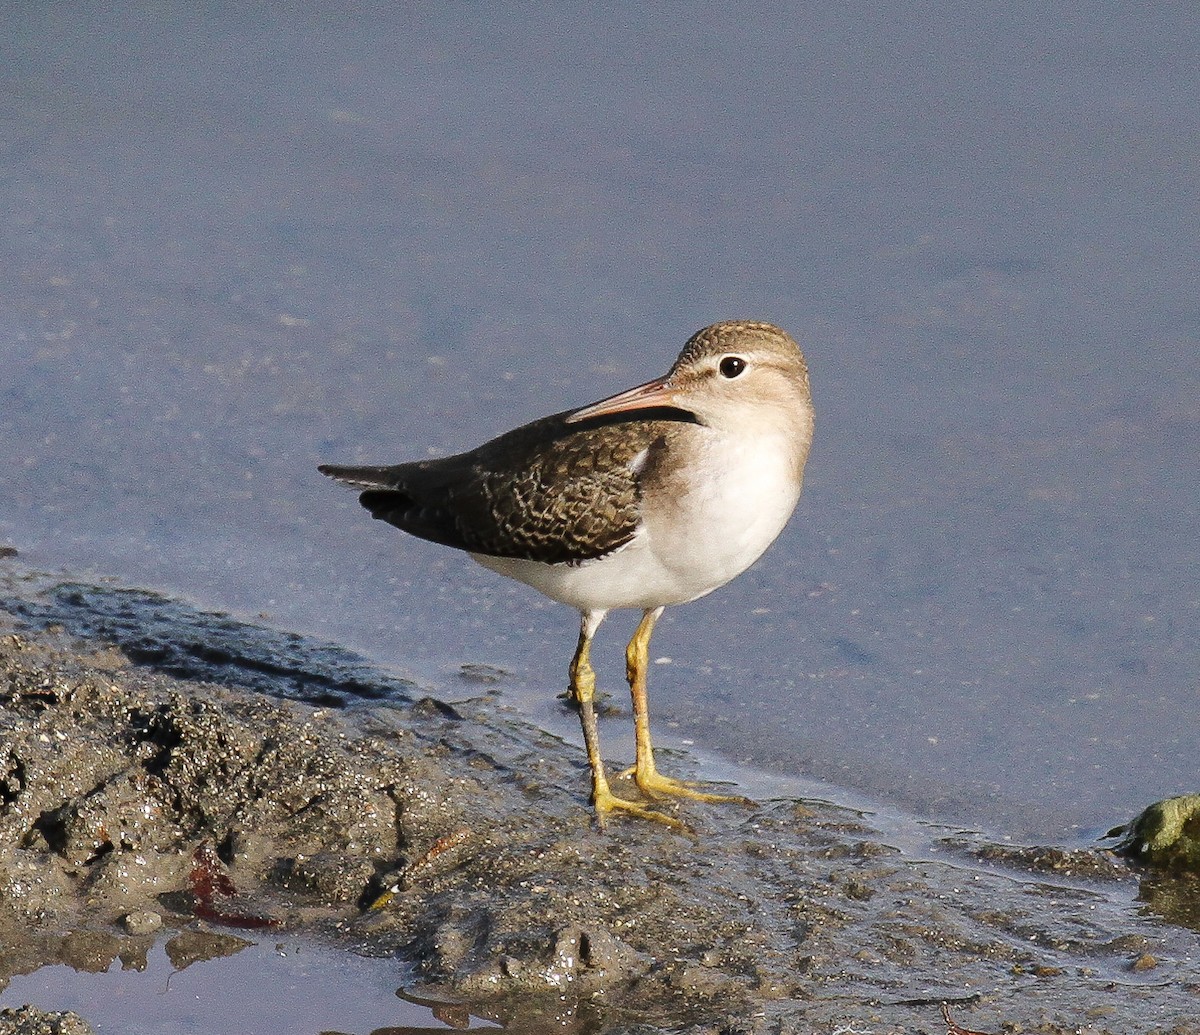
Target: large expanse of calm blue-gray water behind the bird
<point x="241" y="242"/>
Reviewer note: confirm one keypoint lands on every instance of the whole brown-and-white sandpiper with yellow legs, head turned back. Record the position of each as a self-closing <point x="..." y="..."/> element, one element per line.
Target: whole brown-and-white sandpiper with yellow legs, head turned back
<point x="656" y="496"/>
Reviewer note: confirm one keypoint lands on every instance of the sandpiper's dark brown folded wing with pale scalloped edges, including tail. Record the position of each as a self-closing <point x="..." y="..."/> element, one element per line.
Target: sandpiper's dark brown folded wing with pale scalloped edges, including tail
<point x="548" y="492"/>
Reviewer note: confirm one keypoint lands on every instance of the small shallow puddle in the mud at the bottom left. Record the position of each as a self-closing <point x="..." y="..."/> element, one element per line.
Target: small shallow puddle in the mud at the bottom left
<point x="209" y="983"/>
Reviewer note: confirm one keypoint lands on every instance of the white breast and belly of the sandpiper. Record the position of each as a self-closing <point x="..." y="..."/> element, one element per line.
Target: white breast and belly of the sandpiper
<point x="704" y="525"/>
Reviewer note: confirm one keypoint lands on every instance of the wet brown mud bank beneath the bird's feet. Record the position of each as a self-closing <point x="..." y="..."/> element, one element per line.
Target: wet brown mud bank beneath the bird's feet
<point x="172" y="776"/>
